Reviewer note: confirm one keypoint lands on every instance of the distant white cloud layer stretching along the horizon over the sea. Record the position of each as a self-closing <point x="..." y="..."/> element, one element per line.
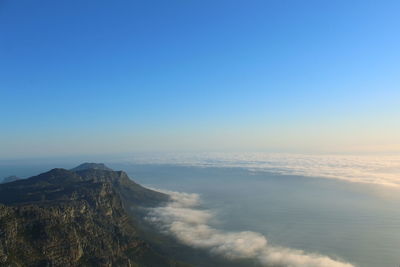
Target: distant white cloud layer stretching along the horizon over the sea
<point x="380" y="169"/>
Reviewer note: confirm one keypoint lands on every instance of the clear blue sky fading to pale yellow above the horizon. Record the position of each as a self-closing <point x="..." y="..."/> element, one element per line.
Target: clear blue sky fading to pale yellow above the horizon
<point x="98" y="77"/>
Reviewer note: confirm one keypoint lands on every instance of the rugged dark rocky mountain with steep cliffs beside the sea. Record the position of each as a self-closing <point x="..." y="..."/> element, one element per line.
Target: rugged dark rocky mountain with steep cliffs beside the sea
<point x="75" y="218"/>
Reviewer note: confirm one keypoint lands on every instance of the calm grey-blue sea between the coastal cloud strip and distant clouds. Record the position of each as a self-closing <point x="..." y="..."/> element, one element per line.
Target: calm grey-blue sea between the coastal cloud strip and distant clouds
<point x="352" y="222"/>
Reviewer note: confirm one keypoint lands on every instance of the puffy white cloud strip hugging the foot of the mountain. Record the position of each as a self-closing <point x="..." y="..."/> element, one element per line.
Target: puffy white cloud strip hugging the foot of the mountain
<point x="184" y="219"/>
